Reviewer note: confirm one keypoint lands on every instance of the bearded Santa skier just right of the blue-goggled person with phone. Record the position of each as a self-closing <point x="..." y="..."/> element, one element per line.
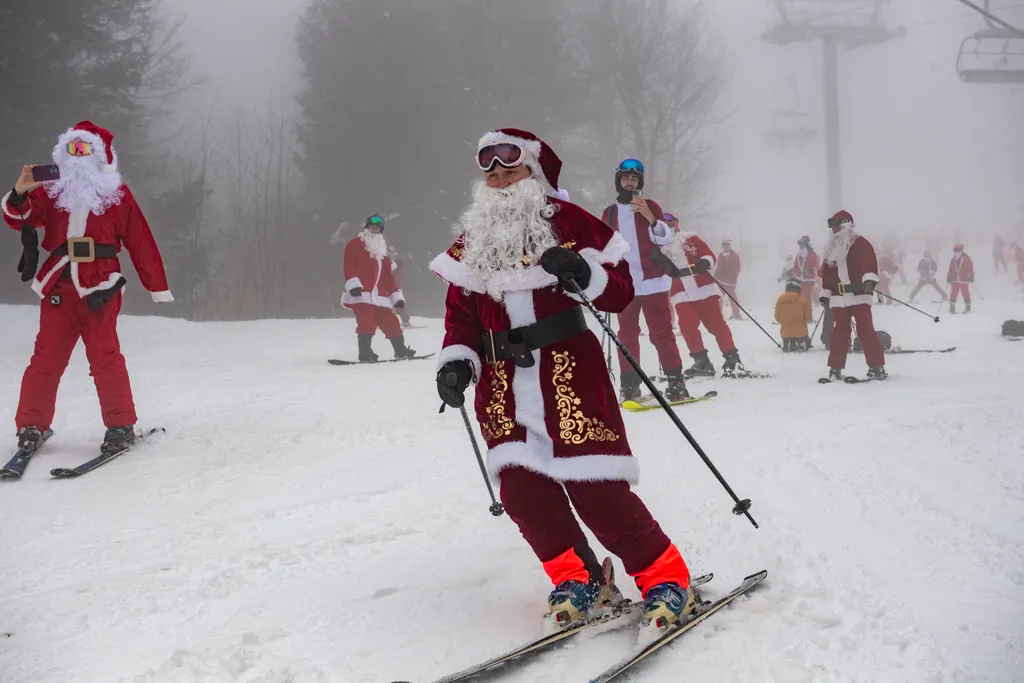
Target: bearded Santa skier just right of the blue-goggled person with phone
<point x="688" y="260"/>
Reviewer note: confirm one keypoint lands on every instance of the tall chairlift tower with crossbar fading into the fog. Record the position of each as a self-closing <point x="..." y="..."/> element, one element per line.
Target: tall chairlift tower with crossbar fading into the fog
<point x="852" y="24"/>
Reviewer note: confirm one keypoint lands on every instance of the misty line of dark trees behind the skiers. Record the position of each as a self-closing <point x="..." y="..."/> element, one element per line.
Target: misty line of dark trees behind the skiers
<point x="394" y="97"/>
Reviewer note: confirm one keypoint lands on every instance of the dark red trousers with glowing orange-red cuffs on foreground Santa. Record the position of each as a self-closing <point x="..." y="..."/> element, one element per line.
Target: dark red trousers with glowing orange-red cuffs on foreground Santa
<point x="540" y="506"/>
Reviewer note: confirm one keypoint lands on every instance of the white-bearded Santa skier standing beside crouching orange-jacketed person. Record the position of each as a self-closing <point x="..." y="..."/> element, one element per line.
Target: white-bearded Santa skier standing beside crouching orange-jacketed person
<point x="849" y="276"/>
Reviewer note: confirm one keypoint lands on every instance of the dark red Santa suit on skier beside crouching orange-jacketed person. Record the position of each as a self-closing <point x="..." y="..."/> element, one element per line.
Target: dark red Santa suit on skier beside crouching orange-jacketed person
<point x="842" y="280"/>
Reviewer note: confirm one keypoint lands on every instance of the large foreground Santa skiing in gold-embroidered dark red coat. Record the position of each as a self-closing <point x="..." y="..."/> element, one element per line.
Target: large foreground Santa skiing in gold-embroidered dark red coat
<point x="544" y="401"/>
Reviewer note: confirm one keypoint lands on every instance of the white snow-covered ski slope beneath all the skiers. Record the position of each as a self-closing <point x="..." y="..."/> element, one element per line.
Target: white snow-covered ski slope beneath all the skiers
<point x="306" y="524"/>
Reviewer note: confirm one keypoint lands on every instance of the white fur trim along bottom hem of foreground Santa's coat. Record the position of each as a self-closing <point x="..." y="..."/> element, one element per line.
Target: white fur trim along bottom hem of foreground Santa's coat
<point x="577" y="468"/>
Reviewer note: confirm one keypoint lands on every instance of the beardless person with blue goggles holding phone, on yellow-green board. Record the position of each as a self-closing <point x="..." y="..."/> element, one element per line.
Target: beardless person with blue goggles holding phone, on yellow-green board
<point x="643" y="226"/>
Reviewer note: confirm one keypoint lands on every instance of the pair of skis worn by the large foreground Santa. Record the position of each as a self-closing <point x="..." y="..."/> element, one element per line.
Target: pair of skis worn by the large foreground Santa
<point x="623" y="615"/>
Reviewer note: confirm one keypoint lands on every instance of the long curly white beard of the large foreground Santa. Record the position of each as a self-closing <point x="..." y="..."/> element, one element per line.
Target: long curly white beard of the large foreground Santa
<point x="505" y="230"/>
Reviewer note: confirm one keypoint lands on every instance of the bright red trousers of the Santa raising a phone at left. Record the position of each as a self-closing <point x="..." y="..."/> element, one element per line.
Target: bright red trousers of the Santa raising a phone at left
<point x="64" y="319"/>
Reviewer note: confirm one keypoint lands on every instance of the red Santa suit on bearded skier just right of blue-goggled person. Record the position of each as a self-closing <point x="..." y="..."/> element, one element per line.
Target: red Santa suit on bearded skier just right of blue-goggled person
<point x="697" y="297"/>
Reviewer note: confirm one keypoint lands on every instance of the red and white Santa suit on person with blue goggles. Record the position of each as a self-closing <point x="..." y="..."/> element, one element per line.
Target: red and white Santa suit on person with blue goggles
<point x="650" y="283"/>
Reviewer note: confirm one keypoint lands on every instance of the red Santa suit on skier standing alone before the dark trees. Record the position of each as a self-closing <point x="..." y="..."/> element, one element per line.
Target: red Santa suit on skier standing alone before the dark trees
<point x="374" y="275"/>
